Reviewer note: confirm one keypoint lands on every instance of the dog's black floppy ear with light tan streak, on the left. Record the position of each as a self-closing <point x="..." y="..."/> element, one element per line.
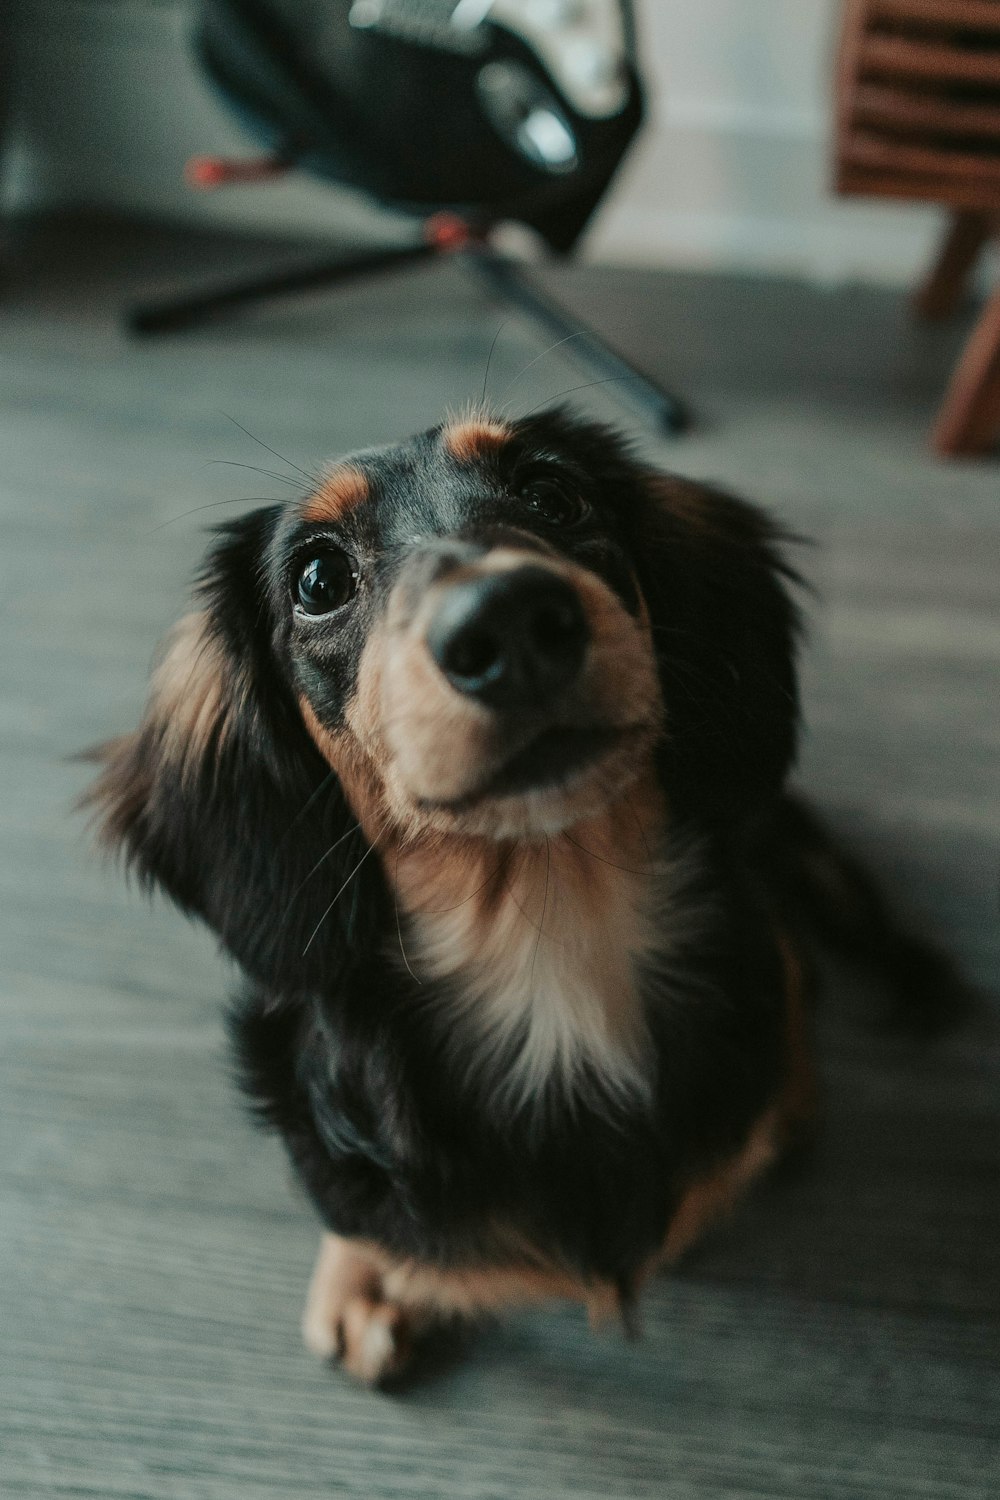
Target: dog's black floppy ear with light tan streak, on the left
<point x="221" y="799"/>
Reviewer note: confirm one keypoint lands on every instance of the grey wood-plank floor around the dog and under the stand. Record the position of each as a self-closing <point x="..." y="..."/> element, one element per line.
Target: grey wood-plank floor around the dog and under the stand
<point x="842" y="1339"/>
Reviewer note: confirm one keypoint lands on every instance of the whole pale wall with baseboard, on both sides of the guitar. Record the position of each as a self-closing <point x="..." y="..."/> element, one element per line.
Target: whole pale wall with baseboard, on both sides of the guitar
<point x="732" y="172"/>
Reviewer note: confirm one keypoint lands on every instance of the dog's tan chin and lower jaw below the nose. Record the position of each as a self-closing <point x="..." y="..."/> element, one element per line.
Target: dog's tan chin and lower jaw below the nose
<point x="560" y="778"/>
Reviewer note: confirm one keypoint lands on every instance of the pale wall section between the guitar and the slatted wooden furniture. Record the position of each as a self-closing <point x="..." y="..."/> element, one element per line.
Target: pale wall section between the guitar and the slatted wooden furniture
<point x="735" y="169"/>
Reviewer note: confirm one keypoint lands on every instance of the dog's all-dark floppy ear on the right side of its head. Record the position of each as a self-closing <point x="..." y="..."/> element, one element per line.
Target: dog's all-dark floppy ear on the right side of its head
<point x="725" y="632"/>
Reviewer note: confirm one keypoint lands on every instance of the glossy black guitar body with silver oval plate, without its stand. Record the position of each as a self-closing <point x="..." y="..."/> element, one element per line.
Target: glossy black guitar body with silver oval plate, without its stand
<point x="481" y="106"/>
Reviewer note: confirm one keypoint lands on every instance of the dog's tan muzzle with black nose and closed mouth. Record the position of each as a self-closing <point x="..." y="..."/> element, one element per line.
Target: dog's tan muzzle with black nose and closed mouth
<point x="509" y="689"/>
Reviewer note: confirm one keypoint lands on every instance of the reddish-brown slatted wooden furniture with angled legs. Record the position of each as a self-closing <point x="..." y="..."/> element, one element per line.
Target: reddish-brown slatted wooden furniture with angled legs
<point x="918" y="116"/>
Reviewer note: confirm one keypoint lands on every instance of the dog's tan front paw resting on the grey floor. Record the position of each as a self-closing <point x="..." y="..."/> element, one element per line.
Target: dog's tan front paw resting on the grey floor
<point x="349" y="1316"/>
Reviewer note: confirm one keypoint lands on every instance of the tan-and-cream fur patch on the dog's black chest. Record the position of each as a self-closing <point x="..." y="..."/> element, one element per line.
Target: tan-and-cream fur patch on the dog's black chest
<point x="536" y="958"/>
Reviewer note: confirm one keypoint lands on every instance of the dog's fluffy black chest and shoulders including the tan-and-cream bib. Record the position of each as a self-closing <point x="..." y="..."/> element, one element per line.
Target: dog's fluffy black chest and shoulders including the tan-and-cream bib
<point x="552" y="1066"/>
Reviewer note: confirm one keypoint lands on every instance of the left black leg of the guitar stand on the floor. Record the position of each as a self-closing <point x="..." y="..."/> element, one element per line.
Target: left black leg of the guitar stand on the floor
<point x="167" y="317"/>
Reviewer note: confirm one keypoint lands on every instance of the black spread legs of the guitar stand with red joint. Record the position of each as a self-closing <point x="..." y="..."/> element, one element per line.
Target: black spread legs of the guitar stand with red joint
<point x="443" y="235"/>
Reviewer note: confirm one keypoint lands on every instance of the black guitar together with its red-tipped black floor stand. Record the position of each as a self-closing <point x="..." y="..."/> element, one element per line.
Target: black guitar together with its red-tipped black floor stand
<point x="464" y="118"/>
